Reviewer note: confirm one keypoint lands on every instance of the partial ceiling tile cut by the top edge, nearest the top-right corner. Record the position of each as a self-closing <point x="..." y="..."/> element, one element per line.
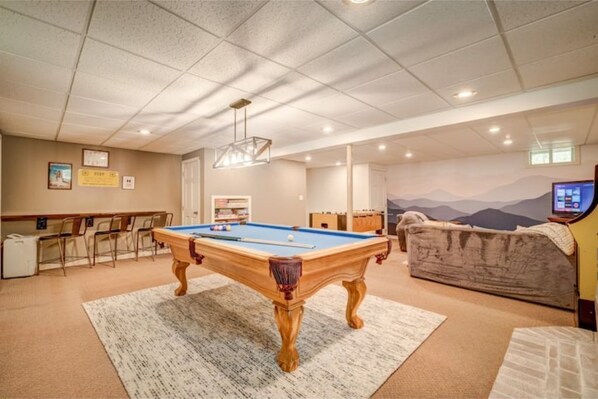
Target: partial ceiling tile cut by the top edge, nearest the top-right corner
<point x="517" y="13"/>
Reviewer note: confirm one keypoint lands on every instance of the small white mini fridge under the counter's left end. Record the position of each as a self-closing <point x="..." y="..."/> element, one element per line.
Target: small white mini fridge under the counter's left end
<point x="20" y="256"/>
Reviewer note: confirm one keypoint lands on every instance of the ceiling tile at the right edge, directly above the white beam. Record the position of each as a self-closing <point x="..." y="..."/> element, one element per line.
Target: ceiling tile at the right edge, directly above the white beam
<point x="574" y="64"/>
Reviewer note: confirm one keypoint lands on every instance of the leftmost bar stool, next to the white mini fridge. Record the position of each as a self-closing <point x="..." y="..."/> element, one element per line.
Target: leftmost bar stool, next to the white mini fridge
<point x="70" y="230"/>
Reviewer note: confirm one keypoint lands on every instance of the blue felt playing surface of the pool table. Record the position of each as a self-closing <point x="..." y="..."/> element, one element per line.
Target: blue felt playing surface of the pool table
<point x="322" y="239"/>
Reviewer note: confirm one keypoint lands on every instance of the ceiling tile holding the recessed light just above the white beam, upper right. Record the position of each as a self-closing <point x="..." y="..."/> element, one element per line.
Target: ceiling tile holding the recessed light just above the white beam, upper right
<point x="489" y="86"/>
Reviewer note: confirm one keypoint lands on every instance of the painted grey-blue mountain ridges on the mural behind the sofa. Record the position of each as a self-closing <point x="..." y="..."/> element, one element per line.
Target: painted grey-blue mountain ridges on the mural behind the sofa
<point x="478" y="211"/>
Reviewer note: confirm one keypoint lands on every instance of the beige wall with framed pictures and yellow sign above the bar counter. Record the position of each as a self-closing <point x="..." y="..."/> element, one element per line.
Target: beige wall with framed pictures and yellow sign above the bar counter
<point x="25" y="174"/>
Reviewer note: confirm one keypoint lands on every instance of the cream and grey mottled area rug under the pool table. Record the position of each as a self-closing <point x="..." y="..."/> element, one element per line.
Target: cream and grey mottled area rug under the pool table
<point x="221" y="339"/>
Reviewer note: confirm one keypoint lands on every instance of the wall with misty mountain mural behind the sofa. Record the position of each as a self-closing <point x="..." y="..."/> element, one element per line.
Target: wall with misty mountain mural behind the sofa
<point x="497" y="191"/>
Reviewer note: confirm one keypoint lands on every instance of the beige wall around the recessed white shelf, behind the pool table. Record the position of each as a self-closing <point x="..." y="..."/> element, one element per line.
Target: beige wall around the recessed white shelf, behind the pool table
<point x="274" y="189"/>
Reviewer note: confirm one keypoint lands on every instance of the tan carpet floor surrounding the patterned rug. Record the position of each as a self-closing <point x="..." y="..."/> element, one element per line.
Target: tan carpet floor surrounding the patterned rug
<point x="48" y="347"/>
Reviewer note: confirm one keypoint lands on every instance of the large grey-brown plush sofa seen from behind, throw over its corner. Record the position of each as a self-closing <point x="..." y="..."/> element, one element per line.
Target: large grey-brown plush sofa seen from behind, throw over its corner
<point x="525" y="264"/>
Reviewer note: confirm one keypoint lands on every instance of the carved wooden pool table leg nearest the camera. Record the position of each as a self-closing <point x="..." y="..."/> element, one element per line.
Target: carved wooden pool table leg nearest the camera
<point x="289" y="323"/>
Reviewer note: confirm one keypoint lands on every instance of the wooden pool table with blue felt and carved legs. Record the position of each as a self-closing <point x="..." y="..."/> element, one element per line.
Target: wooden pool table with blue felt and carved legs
<point x="285" y="269"/>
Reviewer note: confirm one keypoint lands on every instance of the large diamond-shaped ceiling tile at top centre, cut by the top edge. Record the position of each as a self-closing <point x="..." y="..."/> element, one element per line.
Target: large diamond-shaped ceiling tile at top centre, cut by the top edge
<point x="291" y="33"/>
